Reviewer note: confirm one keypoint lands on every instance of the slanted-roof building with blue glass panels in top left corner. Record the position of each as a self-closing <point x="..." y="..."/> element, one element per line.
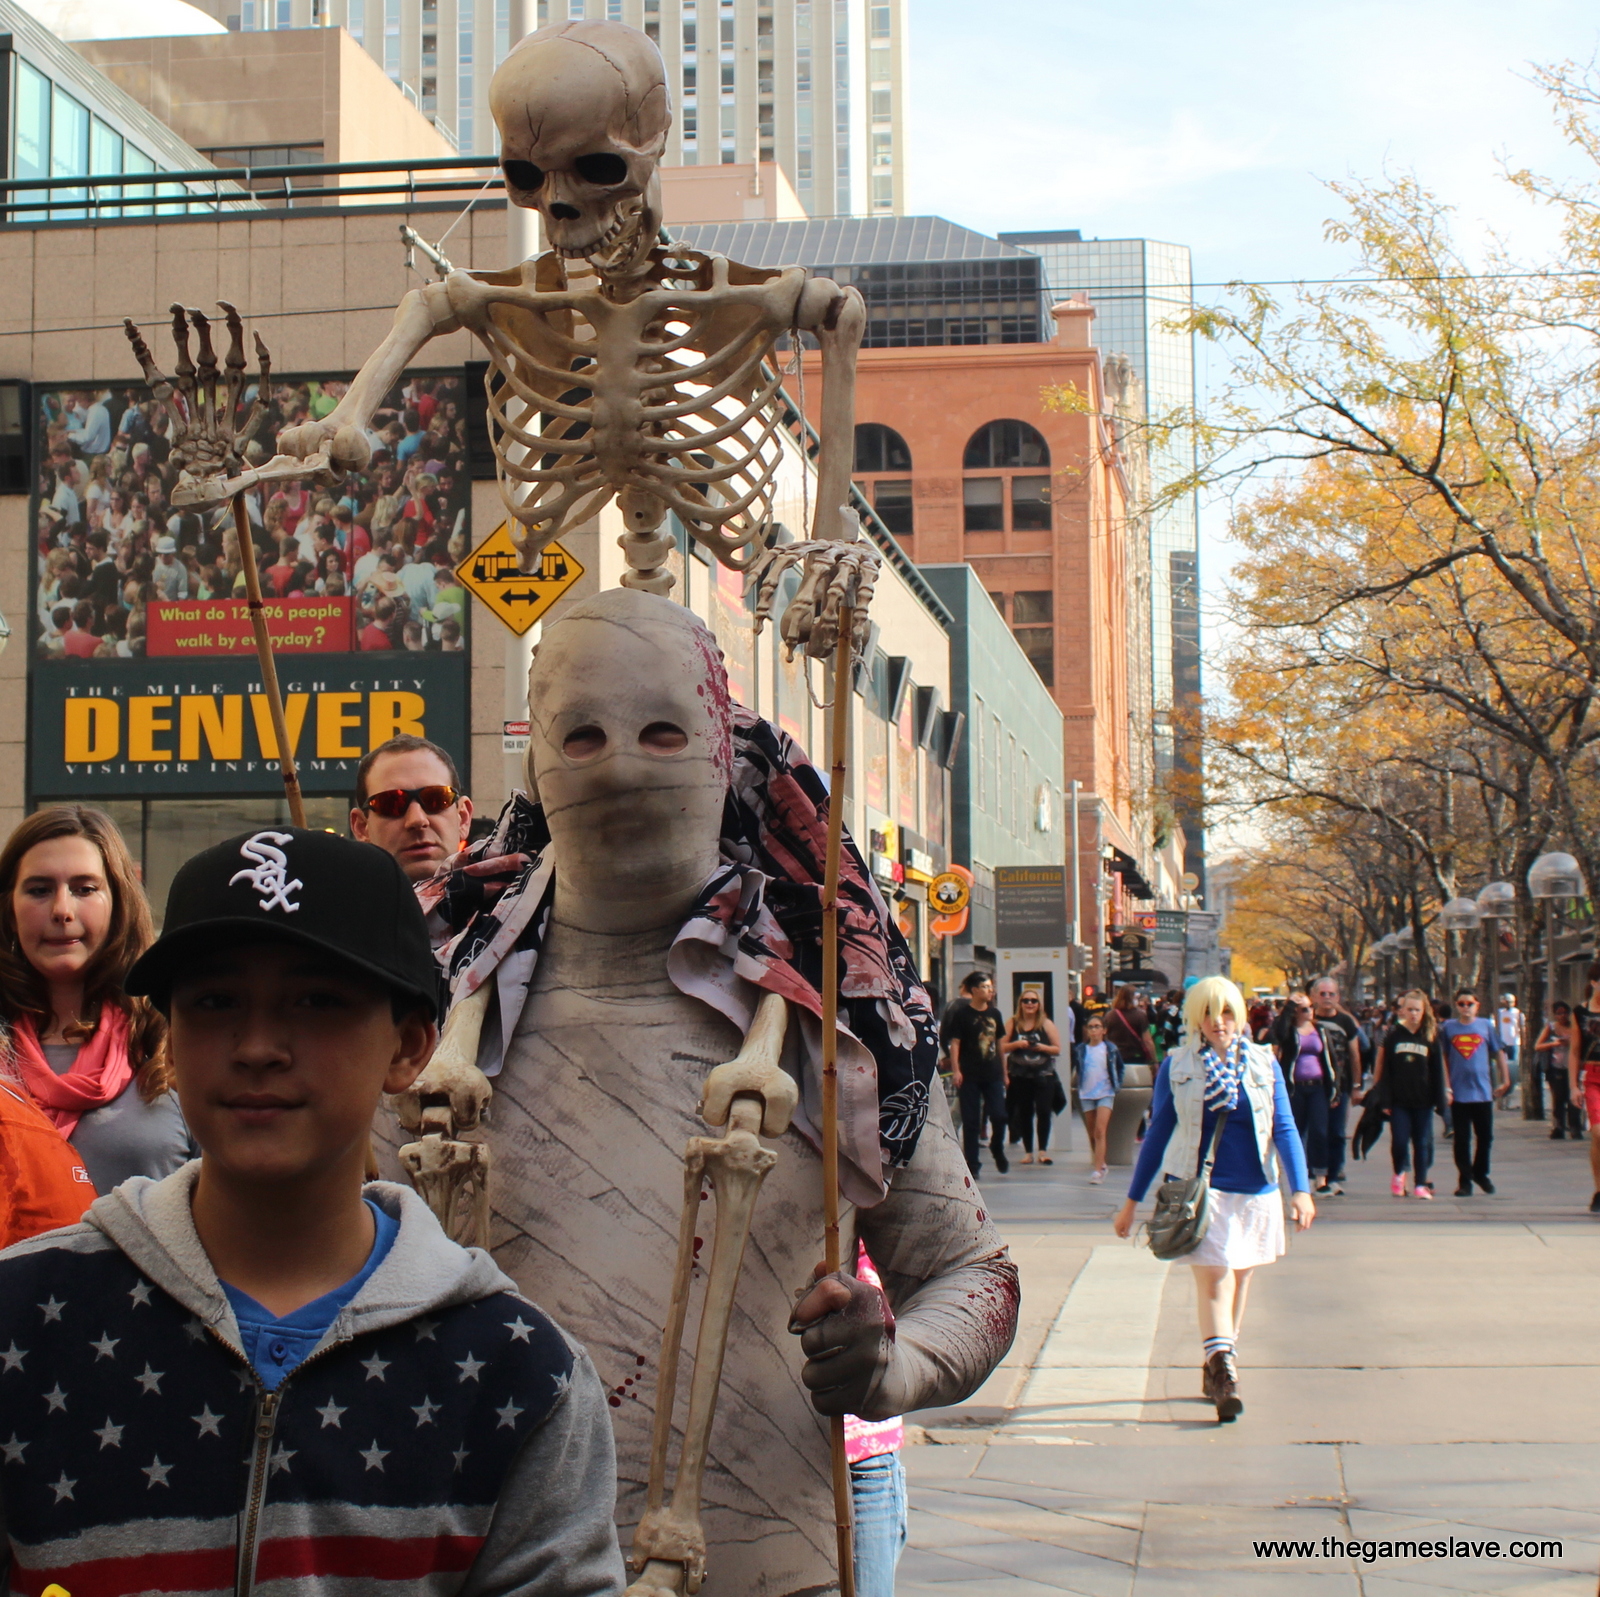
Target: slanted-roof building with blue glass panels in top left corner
<point x="65" y="119"/>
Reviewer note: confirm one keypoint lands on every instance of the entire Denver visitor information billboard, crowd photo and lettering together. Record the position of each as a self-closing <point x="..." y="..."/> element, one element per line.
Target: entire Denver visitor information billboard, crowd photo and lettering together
<point x="143" y="663"/>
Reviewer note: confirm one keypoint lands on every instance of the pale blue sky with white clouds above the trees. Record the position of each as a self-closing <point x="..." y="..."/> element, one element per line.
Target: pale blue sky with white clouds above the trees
<point x="1217" y="124"/>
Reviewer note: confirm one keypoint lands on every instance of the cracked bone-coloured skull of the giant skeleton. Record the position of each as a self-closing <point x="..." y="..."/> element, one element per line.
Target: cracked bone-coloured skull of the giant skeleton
<point x="583" y="113"/>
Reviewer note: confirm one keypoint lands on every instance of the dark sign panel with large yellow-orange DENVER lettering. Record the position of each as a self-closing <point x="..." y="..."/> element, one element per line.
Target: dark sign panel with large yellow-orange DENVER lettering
<point x="142" y="729"/>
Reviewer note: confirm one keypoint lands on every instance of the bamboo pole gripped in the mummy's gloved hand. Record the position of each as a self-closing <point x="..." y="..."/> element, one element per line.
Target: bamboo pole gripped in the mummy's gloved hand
<point x="831" y="1241"/>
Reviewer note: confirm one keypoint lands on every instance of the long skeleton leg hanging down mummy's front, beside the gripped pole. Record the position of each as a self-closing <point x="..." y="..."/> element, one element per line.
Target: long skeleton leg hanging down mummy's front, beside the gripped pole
<point x="750" y="1095"/>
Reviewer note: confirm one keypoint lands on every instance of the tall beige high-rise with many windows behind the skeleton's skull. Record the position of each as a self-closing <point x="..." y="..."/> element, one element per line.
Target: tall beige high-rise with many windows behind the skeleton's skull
<point x="815" y="86"/>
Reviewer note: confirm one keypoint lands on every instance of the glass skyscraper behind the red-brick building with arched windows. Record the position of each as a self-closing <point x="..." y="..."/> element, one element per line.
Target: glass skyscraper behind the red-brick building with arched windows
<point x="1137" y="287"/>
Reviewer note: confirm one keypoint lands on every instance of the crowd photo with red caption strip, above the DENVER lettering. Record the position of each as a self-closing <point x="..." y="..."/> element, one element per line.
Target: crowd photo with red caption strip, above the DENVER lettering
<point x="364" y="567"/>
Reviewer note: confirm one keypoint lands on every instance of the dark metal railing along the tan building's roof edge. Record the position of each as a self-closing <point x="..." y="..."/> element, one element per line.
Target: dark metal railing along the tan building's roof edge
<point x="167" y="196"/>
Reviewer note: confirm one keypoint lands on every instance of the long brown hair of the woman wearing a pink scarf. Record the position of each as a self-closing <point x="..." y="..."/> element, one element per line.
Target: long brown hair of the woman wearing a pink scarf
<point x="23" y="991"/>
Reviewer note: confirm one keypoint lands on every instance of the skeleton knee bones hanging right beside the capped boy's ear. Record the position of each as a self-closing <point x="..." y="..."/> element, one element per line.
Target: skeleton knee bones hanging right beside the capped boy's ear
<point x="450" y="1097"/>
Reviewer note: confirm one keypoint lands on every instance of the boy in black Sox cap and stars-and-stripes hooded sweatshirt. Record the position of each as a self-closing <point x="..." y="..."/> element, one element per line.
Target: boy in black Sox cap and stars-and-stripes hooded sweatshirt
<point x="257" y="1372"/>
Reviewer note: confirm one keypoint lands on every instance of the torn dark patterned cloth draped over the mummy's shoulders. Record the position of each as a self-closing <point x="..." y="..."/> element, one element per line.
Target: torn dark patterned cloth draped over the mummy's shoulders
<point x="758" y="924"/>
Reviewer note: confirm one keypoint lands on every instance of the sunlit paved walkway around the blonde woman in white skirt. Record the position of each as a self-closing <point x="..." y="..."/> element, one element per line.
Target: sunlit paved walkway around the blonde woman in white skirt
<point x="1410" y="1372"/>
